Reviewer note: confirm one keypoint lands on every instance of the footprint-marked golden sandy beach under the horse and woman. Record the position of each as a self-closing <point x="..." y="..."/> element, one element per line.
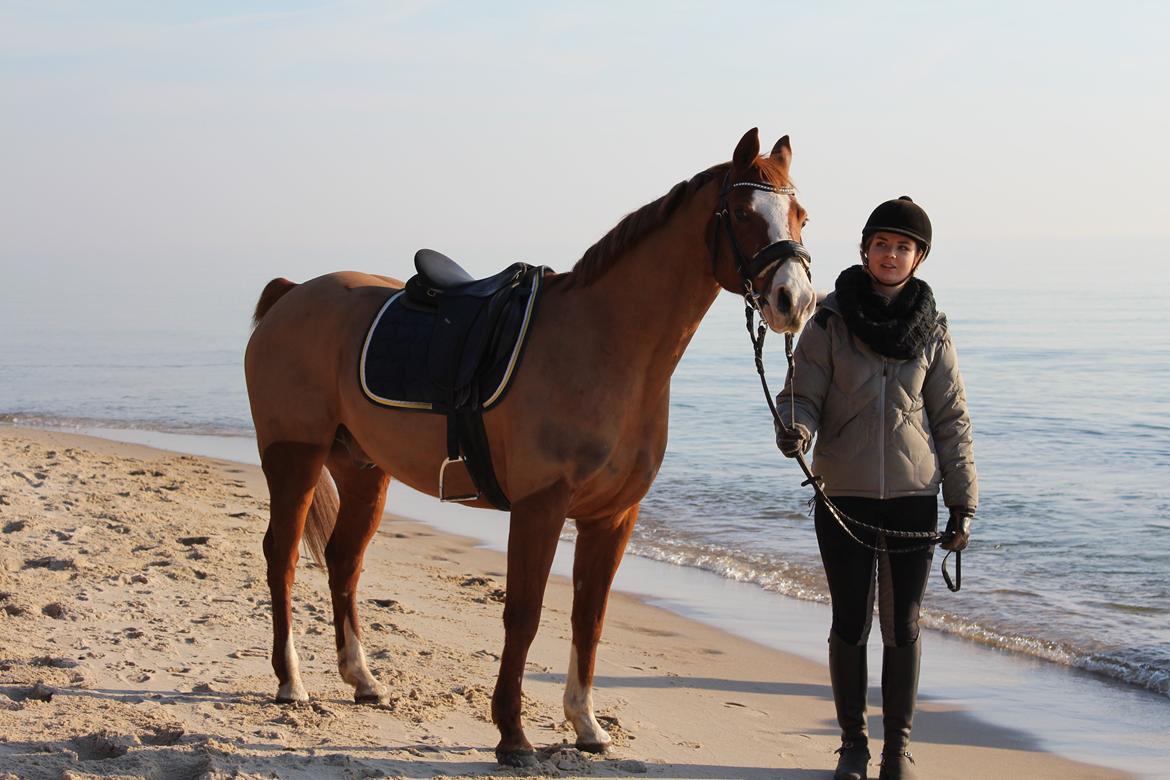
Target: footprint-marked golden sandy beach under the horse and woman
<point x="135" y="634"/>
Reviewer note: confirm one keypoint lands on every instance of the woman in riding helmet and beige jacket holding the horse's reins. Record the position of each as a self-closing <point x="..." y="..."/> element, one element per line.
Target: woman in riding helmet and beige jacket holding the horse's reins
<point x="877" y="381"/>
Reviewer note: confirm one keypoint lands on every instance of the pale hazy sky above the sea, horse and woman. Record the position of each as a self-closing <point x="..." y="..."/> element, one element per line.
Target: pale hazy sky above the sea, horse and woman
<point x="157" y="153"/>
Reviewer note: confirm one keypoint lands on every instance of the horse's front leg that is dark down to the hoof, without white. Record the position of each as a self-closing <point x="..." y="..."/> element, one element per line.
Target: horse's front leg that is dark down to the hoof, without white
<point x="536" y="523"/>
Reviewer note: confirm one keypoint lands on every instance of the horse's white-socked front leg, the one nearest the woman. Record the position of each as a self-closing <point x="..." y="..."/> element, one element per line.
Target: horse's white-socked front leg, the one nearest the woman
<point x="601" y="546"/>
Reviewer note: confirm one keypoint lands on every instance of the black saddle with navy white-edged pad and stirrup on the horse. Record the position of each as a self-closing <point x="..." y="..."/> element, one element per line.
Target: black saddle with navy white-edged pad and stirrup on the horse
<point x="450" y="344"/>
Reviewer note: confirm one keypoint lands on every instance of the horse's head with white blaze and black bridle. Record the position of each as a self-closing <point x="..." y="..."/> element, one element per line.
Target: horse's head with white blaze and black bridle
<point x="762" y="222"/>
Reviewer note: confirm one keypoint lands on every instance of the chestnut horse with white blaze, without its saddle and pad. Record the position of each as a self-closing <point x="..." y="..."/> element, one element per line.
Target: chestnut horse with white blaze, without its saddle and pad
<point x="581" y="434"/>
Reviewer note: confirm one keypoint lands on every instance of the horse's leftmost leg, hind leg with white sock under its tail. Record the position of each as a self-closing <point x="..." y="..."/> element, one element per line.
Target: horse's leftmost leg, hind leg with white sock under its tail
<point x="292" y="471"/>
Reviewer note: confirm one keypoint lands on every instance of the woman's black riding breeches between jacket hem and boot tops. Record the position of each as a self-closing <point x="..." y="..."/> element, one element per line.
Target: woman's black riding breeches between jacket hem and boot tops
<point x="857" y="575"/>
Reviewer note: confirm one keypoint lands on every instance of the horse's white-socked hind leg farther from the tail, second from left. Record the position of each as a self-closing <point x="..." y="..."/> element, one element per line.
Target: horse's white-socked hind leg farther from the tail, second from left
<point x="362" y="493"/>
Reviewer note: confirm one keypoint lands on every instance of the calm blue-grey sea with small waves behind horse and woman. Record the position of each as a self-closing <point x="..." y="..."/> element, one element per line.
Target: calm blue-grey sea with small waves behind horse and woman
<point x="1070" y="562"/>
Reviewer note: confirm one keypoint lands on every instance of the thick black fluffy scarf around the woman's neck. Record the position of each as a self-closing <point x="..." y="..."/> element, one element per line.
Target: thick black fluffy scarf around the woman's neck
<point x="898" y="329"/>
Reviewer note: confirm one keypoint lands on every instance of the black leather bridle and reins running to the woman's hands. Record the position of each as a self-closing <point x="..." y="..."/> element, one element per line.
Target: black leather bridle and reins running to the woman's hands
<point x="749" y="270"/>
